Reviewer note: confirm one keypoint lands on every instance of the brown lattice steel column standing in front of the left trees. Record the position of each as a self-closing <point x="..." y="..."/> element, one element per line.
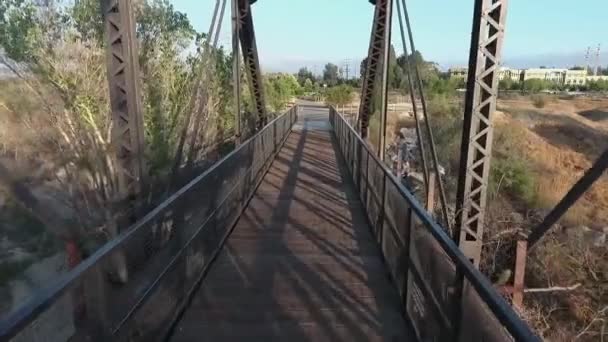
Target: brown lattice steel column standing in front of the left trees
<point x="123" y="71"/>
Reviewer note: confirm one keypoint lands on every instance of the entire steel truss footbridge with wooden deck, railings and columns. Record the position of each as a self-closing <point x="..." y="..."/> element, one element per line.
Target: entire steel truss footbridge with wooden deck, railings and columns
<point x="302" y="232"/>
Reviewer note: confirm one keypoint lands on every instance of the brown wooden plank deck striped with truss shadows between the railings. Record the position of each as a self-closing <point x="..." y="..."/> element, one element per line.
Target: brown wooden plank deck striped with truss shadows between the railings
<point x="301" y="263"/>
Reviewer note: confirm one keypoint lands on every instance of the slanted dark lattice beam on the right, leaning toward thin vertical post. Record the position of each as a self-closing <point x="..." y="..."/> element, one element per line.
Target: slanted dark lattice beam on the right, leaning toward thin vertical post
<point x="378" y="40"/>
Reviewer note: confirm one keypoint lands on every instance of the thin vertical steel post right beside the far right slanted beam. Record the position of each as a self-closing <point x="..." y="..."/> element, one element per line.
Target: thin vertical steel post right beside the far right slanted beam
<point x="386" y="51"/>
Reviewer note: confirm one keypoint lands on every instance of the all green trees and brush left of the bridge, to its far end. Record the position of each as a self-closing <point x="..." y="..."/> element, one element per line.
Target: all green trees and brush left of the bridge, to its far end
<point x="54" y="112"/>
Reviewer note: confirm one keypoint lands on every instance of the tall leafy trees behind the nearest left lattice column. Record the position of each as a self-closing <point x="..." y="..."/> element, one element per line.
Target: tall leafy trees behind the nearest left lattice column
<point x="58" y="54"/>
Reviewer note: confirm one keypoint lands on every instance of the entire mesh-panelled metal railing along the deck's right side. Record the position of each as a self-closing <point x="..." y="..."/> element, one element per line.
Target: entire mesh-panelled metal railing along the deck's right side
<point x="445" y="297"/>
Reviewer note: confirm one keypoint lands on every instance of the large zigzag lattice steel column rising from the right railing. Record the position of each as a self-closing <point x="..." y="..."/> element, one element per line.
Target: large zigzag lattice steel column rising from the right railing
<point x="480" y="104"/>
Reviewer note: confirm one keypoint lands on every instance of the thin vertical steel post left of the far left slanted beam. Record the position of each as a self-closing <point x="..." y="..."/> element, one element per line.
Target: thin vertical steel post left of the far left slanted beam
<point x="236" y="70"/>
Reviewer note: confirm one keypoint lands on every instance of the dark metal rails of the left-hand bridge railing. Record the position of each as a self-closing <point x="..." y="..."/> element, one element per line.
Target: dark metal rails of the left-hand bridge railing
<point x="16" y="321"/>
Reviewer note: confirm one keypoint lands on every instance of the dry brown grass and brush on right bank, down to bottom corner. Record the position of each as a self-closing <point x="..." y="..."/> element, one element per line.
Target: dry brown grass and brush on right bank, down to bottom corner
<point x="566" y="256"/>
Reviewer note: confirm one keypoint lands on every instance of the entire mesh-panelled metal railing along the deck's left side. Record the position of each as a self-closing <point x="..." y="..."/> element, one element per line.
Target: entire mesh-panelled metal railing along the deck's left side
<point x="166" y="253"/>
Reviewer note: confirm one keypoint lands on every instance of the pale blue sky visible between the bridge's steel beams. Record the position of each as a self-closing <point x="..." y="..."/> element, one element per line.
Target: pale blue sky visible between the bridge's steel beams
<point x="293" y="33"/>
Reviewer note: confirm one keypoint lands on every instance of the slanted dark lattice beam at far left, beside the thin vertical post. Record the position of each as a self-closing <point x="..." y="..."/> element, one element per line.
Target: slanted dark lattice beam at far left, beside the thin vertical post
<point x="251" y="60"/>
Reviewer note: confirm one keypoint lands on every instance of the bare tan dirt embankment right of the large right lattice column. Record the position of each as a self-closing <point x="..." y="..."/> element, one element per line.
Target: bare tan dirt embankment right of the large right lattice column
<point x="563" y="138"/>
